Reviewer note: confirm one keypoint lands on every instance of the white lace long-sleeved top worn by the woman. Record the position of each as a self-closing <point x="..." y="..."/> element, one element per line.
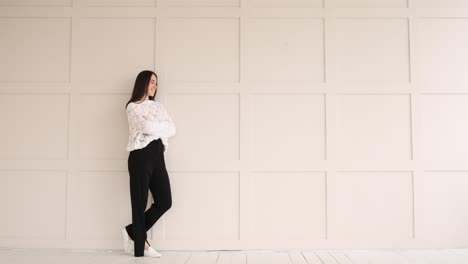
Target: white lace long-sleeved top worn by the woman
<point x="148" y="121"/>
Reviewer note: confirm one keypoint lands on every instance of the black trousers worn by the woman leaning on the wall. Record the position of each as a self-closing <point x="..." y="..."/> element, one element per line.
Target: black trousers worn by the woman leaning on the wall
<point x="147" y="170"/>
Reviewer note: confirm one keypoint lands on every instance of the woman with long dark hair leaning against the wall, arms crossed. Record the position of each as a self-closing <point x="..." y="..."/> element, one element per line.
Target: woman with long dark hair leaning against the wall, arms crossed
<point x="150" y="126"/>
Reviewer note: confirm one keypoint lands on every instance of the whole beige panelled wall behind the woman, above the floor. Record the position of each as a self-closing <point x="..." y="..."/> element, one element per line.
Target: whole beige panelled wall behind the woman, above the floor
<point x="301" y="124"/>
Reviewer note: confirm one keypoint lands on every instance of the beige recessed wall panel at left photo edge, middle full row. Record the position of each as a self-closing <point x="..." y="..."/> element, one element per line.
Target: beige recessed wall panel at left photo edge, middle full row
<point x="35" y="126"/>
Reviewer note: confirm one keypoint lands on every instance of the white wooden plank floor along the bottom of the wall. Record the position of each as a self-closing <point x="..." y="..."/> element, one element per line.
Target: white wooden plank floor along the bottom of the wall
<point x="37" y="256"/>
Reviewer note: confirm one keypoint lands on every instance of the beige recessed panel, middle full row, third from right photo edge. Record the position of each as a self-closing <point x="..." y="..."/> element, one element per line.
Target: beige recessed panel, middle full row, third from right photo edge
<point x="287" y="125"/>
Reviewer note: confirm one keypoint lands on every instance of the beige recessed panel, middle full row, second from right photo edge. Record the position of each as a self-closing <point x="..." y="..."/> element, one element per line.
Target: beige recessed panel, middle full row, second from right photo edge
<point x="373" y="128"/>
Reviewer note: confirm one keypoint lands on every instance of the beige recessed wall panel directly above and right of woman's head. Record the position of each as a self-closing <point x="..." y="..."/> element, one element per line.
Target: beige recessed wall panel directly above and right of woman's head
<point x="199" y="49"/>
